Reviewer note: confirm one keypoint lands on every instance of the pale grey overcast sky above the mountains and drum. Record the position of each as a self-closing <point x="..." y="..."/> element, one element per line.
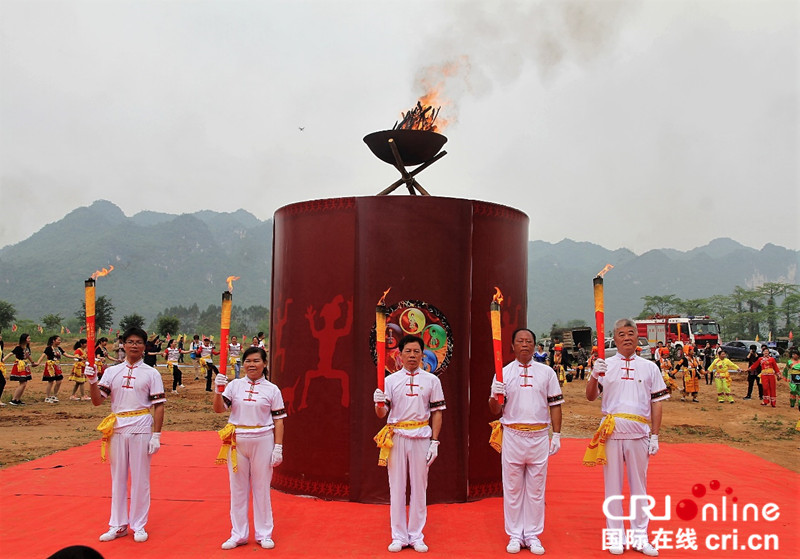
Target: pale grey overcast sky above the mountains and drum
<point x="628" y="124"/>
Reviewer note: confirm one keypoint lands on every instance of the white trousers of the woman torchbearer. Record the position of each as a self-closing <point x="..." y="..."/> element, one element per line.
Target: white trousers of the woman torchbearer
<point x="254" y="458"/>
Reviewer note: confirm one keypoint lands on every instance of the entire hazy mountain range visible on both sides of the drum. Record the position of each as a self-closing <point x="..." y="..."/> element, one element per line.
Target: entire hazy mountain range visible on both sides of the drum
<point x="164" y="260"/>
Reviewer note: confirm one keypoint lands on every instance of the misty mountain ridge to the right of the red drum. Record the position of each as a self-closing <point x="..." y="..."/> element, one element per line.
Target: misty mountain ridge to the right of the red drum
<point x="560" y="276"/>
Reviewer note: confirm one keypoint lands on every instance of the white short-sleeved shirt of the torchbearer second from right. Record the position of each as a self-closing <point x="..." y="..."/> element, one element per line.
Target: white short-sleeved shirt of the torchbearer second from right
<point x="530" y="391"/>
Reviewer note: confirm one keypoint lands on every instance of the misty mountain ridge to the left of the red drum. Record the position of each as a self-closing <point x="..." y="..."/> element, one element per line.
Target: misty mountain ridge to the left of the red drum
<point x="160" y="260"/>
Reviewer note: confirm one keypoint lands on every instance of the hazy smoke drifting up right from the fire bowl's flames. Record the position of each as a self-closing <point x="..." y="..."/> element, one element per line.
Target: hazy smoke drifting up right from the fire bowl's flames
<point x="497" y="44"/>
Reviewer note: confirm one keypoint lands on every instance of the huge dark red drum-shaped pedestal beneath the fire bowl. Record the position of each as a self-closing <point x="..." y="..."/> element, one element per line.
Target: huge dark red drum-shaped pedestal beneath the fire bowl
<point x="442" y="258"/>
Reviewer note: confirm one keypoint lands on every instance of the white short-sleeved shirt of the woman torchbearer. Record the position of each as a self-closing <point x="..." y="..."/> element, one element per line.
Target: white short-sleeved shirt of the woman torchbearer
<point x="253" y="403"/>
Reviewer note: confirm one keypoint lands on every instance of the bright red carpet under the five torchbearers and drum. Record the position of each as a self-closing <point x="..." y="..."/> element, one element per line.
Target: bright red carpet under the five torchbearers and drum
<point x="63" y="500"/>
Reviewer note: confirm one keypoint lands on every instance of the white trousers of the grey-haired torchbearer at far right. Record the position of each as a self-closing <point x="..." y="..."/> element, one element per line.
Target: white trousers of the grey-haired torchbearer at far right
<point x="633" y="454"/>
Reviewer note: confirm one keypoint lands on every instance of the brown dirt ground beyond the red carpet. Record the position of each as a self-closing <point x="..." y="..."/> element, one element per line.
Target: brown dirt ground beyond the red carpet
<point x="38" y="429"/>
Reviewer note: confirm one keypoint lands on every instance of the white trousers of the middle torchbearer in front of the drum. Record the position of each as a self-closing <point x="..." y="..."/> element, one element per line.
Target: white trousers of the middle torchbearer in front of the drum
<point x="407" y="460"/>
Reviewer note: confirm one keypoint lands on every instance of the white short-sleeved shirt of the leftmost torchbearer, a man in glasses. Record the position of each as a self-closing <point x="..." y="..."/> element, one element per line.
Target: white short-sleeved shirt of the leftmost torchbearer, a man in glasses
<point x="132" y="388"/>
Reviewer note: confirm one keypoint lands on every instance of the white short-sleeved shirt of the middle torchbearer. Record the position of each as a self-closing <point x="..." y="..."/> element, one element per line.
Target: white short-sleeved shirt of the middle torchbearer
<point x="412" y="396"/>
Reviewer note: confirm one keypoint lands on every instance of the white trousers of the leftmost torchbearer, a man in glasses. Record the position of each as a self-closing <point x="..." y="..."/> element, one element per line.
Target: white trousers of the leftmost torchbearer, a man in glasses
<point x="128" y="455"/>
